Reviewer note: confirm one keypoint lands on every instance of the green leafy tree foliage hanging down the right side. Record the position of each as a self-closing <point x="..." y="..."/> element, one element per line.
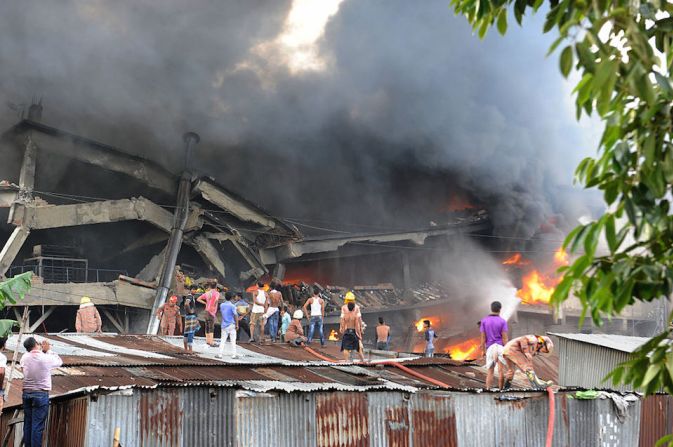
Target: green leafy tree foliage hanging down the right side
<point x="622" y="51"/>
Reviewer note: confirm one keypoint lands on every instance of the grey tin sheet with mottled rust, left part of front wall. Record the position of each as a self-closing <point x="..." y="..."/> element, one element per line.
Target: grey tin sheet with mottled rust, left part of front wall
<point x="160" y="418"/>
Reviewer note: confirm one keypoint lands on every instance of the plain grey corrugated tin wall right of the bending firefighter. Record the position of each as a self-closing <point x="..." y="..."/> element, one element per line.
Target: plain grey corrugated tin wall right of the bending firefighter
<point x="585" y="365"/>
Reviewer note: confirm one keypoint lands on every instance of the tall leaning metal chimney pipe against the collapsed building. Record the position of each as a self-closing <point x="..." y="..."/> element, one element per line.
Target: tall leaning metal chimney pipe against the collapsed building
<point x="175" y="239"/>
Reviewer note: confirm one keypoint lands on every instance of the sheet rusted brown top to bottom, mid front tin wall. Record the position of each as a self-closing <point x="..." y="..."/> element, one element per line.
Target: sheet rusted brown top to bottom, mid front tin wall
<point x="342" y="419"/>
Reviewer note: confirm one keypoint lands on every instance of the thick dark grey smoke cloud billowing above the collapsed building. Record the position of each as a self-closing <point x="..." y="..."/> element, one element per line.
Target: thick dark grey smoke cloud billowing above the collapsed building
<point x="409" y="109"/>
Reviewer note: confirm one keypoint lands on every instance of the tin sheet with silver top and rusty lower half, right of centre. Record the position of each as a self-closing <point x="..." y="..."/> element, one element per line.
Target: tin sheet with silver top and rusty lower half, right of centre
<point x="433" y="420"/>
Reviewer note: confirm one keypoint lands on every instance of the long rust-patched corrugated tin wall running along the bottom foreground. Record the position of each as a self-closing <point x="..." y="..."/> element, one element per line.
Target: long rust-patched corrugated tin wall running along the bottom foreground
<point x="205" y="416"/>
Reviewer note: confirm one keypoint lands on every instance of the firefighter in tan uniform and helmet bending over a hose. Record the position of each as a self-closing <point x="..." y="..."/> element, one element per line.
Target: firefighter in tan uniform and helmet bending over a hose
<point x="519" y="353"/>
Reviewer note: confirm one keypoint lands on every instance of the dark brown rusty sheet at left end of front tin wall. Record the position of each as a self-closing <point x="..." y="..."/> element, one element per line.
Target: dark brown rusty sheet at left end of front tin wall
<point x="67" y="424"/>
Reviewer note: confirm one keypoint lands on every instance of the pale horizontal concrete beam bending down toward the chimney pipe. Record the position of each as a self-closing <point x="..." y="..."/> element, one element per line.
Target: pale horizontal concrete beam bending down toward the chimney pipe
<point x="56" y="216"/>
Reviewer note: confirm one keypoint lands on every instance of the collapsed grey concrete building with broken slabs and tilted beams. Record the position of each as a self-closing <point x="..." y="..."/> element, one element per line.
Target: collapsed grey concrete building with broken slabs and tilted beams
<point x="93" y="220"/>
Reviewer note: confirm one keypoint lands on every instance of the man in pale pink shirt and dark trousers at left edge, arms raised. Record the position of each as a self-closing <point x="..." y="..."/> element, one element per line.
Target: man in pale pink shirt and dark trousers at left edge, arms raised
<point x="36" y="364"/>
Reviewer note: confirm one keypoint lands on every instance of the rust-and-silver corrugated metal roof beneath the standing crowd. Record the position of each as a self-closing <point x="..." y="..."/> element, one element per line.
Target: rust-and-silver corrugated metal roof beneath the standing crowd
<point x="113" y="362"/>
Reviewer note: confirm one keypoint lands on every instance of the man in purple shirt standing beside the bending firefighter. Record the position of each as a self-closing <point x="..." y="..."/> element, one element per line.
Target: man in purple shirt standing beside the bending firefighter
<point x="493" y="339"/>
